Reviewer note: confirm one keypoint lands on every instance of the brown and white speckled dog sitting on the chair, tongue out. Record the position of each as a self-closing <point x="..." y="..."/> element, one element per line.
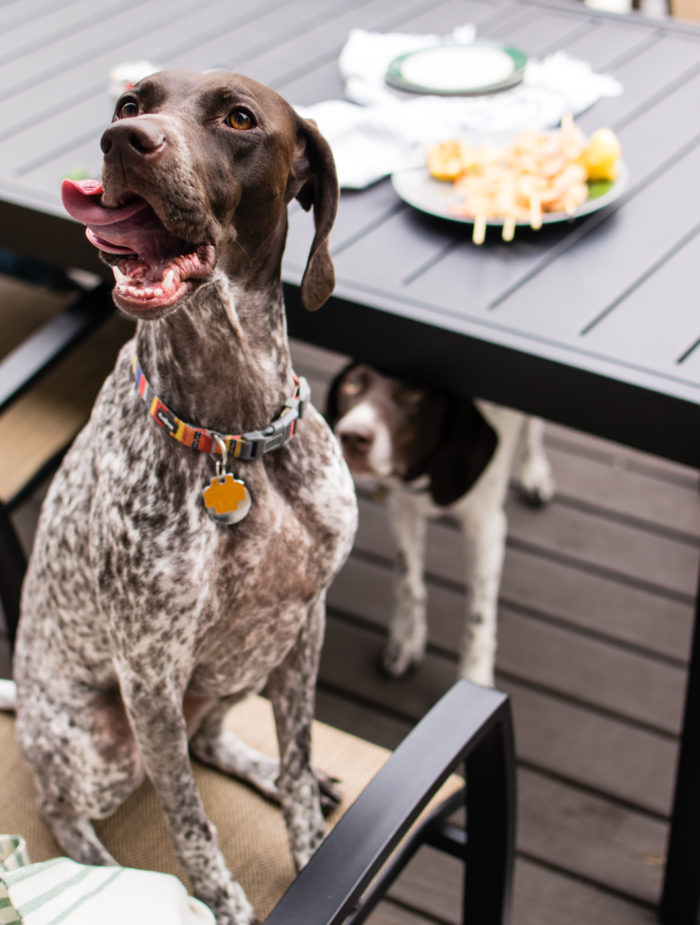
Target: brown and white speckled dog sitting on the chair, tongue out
<point x="143" y="618"/>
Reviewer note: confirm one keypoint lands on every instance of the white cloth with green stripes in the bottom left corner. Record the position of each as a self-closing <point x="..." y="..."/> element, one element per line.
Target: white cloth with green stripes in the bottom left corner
<point x="62" y="892"/>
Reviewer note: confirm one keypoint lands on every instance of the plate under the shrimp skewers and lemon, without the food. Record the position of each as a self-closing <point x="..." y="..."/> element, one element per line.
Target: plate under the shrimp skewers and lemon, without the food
<point x="419" y="189"/>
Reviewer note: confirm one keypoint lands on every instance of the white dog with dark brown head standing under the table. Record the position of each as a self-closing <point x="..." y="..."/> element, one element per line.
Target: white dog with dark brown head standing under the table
<point x="438" y="453"/>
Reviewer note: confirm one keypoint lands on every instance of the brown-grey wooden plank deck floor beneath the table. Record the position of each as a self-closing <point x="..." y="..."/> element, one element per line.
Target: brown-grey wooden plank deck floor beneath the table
<point x="595" y="620"/>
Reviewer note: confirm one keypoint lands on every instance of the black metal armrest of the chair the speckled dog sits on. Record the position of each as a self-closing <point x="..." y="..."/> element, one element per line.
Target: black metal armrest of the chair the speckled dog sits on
<point x="469" y="724"/>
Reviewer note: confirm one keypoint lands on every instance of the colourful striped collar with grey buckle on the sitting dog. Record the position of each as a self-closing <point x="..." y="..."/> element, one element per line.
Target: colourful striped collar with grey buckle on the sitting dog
<point x="247" y="446"/>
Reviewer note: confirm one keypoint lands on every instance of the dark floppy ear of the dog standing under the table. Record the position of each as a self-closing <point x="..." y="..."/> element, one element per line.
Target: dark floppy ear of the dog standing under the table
<point x="466" y="449"/>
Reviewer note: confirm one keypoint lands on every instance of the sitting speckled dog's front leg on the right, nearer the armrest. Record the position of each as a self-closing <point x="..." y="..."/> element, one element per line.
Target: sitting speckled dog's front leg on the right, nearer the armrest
<point x="291" y="688"/>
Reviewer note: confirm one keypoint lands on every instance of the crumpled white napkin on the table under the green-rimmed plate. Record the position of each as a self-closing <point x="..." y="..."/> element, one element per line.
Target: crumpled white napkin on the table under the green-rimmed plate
<point x="373" y="133"/>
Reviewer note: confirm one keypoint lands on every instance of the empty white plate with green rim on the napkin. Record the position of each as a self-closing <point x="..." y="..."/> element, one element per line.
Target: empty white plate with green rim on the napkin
<point x="452" y="69"/>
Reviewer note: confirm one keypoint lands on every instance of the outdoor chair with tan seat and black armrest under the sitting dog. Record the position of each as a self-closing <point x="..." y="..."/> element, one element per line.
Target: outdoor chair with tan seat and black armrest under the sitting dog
<point x="469" y="730"/>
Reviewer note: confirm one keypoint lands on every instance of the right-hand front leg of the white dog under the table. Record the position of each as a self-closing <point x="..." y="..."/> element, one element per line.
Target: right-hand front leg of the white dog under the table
<point x="485" y="538"/>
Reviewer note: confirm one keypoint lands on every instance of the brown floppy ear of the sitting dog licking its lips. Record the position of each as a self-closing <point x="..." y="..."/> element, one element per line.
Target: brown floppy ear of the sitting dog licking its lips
<point x="317" y="186"/>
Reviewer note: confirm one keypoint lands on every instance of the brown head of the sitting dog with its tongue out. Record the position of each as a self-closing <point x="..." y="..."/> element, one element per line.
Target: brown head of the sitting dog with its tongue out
<point x="198" y="171"/>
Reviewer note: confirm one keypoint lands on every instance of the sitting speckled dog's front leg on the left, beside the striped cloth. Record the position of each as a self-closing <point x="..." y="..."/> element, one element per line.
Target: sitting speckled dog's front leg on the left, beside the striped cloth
<point x="155" y="714"/>
